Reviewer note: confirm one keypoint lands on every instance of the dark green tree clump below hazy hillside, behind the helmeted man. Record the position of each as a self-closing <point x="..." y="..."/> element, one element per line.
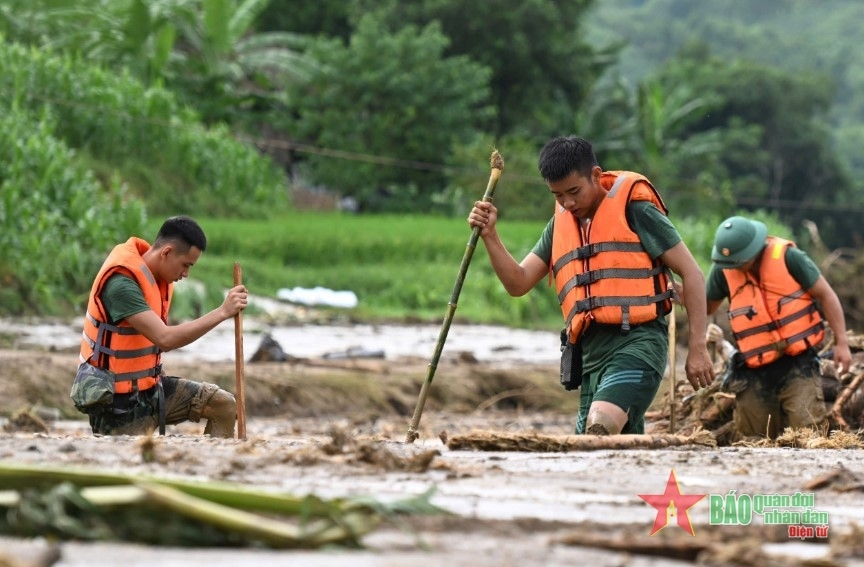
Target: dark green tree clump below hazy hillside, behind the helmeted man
<point x="794" y="171"/>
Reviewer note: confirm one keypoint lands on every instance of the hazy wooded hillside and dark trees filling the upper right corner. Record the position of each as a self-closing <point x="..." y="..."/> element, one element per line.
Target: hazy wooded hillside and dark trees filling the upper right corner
<point x="792" y="68"/>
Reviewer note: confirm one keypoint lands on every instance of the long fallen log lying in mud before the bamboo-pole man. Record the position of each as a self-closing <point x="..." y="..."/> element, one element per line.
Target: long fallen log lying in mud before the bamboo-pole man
<point x="539" y="443"/>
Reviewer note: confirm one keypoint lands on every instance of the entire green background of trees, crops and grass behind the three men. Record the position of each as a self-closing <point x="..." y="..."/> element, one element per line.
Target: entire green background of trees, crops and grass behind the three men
<point x="170" y="104"/>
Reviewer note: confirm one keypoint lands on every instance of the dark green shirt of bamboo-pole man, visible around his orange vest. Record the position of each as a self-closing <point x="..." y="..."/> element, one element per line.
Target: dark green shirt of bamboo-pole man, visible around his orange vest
<point x="650" y="341"/>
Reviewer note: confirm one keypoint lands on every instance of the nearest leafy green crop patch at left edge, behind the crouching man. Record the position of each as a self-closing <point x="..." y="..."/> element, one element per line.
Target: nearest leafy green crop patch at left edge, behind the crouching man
<point x="56" y="220"/>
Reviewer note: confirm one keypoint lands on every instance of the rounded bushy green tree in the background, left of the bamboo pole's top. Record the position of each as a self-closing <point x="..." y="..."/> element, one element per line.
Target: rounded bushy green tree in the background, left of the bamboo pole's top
<point x="390" y="100"/>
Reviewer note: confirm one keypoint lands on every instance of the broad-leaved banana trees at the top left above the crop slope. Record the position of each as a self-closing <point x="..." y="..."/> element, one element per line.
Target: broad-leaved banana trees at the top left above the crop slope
<point x="206" y="50"/>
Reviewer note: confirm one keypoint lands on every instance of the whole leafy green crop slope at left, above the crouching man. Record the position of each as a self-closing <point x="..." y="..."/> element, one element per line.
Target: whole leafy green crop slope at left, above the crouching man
<point x="78" y="142"/>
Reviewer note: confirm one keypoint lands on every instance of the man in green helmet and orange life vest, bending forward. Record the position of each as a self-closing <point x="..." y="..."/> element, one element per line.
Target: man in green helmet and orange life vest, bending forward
<point x="777" y="301"/>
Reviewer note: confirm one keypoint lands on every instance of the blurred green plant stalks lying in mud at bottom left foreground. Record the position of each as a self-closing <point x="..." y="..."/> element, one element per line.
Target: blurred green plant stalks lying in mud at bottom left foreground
<point x="88" y="505"/>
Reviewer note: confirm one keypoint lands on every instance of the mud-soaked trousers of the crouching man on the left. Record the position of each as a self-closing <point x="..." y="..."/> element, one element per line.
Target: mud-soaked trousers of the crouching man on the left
<point x="138" y="414"/>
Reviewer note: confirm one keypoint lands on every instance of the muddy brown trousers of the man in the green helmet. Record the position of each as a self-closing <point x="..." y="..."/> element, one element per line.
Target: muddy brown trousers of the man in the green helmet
<point x="786" y="393"/>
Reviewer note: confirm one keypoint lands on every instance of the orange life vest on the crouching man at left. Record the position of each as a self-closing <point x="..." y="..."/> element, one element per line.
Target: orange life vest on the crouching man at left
<point x="120" y="348"/>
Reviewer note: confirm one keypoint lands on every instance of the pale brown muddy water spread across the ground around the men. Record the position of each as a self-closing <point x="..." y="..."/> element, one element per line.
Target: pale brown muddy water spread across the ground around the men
<point x="519" y="491"/>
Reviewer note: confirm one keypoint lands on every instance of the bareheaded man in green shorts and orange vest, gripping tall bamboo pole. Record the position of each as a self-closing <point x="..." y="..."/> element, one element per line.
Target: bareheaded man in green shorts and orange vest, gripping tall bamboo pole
<point x="609" y="247"/>
